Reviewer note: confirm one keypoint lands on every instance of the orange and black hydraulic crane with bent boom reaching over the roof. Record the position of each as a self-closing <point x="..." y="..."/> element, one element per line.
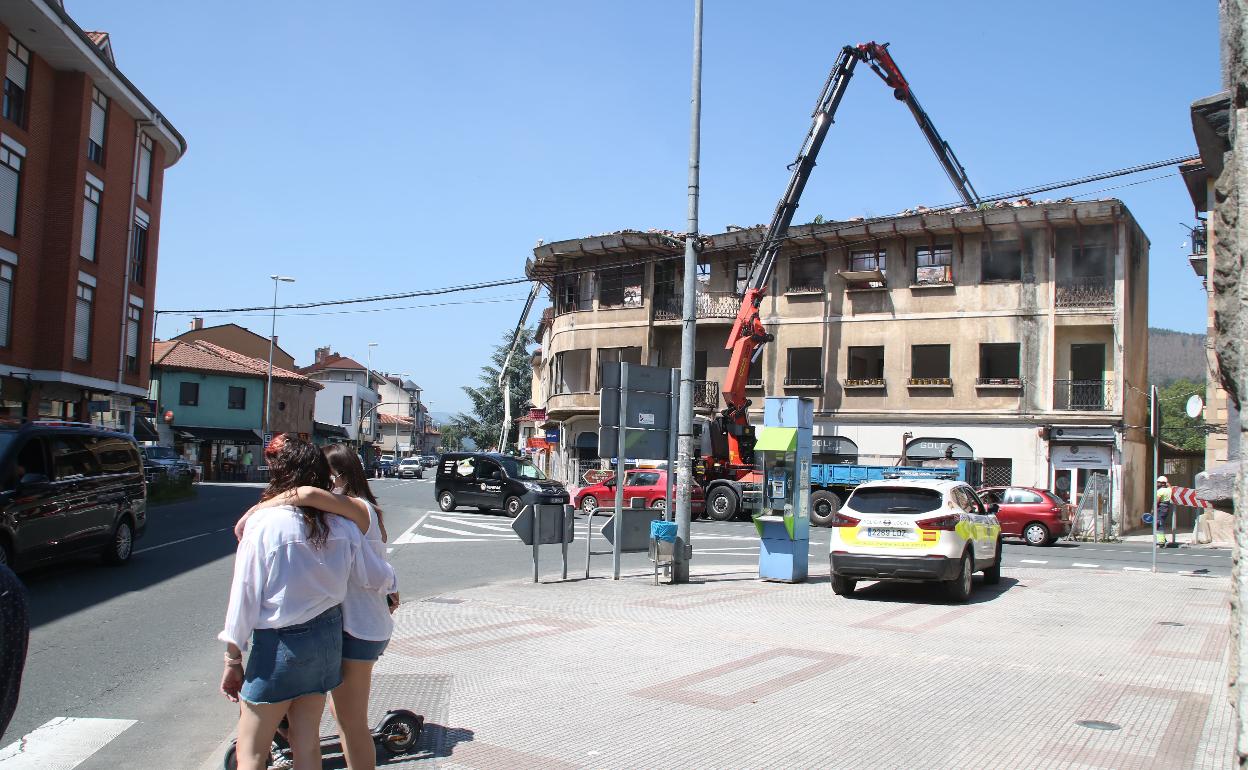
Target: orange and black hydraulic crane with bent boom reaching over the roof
<point x="731" y="462"/>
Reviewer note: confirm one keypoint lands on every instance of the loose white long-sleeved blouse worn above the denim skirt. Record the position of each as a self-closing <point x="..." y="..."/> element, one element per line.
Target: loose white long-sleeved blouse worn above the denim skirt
<point x="281" y="580"/>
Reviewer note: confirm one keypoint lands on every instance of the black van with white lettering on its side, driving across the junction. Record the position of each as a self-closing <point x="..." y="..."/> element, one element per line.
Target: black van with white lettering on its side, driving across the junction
<point x="490" y="481"/>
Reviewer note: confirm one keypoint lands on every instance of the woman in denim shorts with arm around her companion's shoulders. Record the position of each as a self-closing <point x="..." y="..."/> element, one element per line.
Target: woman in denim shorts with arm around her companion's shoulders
<point x="366" y="615"/>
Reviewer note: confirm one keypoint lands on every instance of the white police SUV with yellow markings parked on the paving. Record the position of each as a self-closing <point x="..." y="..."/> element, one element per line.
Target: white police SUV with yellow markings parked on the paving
<point x="915" y="530"/>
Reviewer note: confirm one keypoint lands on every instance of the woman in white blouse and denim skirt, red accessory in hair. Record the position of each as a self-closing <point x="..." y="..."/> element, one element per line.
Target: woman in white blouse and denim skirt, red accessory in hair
<point x="291" y="576"/>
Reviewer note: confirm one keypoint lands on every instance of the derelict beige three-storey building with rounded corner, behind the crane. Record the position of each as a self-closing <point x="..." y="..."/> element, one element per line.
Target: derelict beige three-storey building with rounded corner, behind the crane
<point x="1015" y="335"/>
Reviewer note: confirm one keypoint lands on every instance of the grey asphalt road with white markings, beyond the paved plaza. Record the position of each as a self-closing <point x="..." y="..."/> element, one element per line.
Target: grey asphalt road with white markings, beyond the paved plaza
<point x="130" y="655"/>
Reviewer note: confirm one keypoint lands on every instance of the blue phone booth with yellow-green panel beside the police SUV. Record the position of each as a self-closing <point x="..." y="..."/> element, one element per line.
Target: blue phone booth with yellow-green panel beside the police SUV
<point x="784" y="522"/>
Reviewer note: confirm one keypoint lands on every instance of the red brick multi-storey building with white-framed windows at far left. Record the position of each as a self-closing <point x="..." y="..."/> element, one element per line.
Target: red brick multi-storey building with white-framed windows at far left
<point x="83" y="159"/>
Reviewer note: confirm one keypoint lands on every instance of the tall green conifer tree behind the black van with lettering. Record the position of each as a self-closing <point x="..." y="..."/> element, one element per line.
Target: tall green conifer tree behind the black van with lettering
<point x="487" y="399"/>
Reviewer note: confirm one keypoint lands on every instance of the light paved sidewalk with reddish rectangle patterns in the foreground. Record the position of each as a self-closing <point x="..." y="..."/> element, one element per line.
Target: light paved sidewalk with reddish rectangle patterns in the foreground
<point x="731" y="672"/>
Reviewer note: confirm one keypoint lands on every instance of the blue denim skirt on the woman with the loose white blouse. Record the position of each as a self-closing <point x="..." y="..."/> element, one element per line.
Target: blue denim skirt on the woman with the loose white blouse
<point x="295" y="661"/>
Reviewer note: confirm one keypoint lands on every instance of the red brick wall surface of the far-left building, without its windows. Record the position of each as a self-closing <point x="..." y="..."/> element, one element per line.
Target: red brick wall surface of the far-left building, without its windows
<point x="39" y="365"/>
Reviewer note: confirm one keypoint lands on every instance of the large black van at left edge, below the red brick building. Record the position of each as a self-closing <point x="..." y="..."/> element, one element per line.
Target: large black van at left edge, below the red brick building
<point x="69" y="490"/>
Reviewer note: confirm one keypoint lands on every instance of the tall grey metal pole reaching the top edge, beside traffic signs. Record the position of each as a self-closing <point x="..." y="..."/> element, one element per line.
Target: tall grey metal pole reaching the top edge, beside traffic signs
<point x="688" y="328"/>
